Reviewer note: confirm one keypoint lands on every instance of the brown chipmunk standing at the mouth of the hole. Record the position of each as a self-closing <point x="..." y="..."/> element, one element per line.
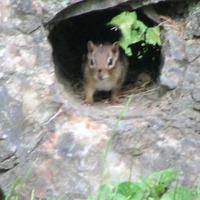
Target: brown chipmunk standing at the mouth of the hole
<point x="104" y="70"/>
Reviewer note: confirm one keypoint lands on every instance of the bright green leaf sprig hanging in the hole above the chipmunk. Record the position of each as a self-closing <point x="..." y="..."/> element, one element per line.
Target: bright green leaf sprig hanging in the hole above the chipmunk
<point x="134" y="30"/>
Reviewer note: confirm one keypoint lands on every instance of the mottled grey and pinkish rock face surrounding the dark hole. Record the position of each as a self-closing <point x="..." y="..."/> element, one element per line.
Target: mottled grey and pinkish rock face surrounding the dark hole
<point x="46" y="132"/>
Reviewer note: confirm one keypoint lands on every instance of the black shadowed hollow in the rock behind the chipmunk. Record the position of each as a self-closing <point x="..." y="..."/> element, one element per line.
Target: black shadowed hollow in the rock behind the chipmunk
<point x="69" y="41"/>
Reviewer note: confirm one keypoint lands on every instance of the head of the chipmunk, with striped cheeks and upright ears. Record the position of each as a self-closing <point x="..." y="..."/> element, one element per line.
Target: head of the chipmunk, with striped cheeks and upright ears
<point x="102" y="60"/>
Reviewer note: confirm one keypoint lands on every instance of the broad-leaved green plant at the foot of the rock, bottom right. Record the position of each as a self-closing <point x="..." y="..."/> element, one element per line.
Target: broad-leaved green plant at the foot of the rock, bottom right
<point x="152" y="187"/>
